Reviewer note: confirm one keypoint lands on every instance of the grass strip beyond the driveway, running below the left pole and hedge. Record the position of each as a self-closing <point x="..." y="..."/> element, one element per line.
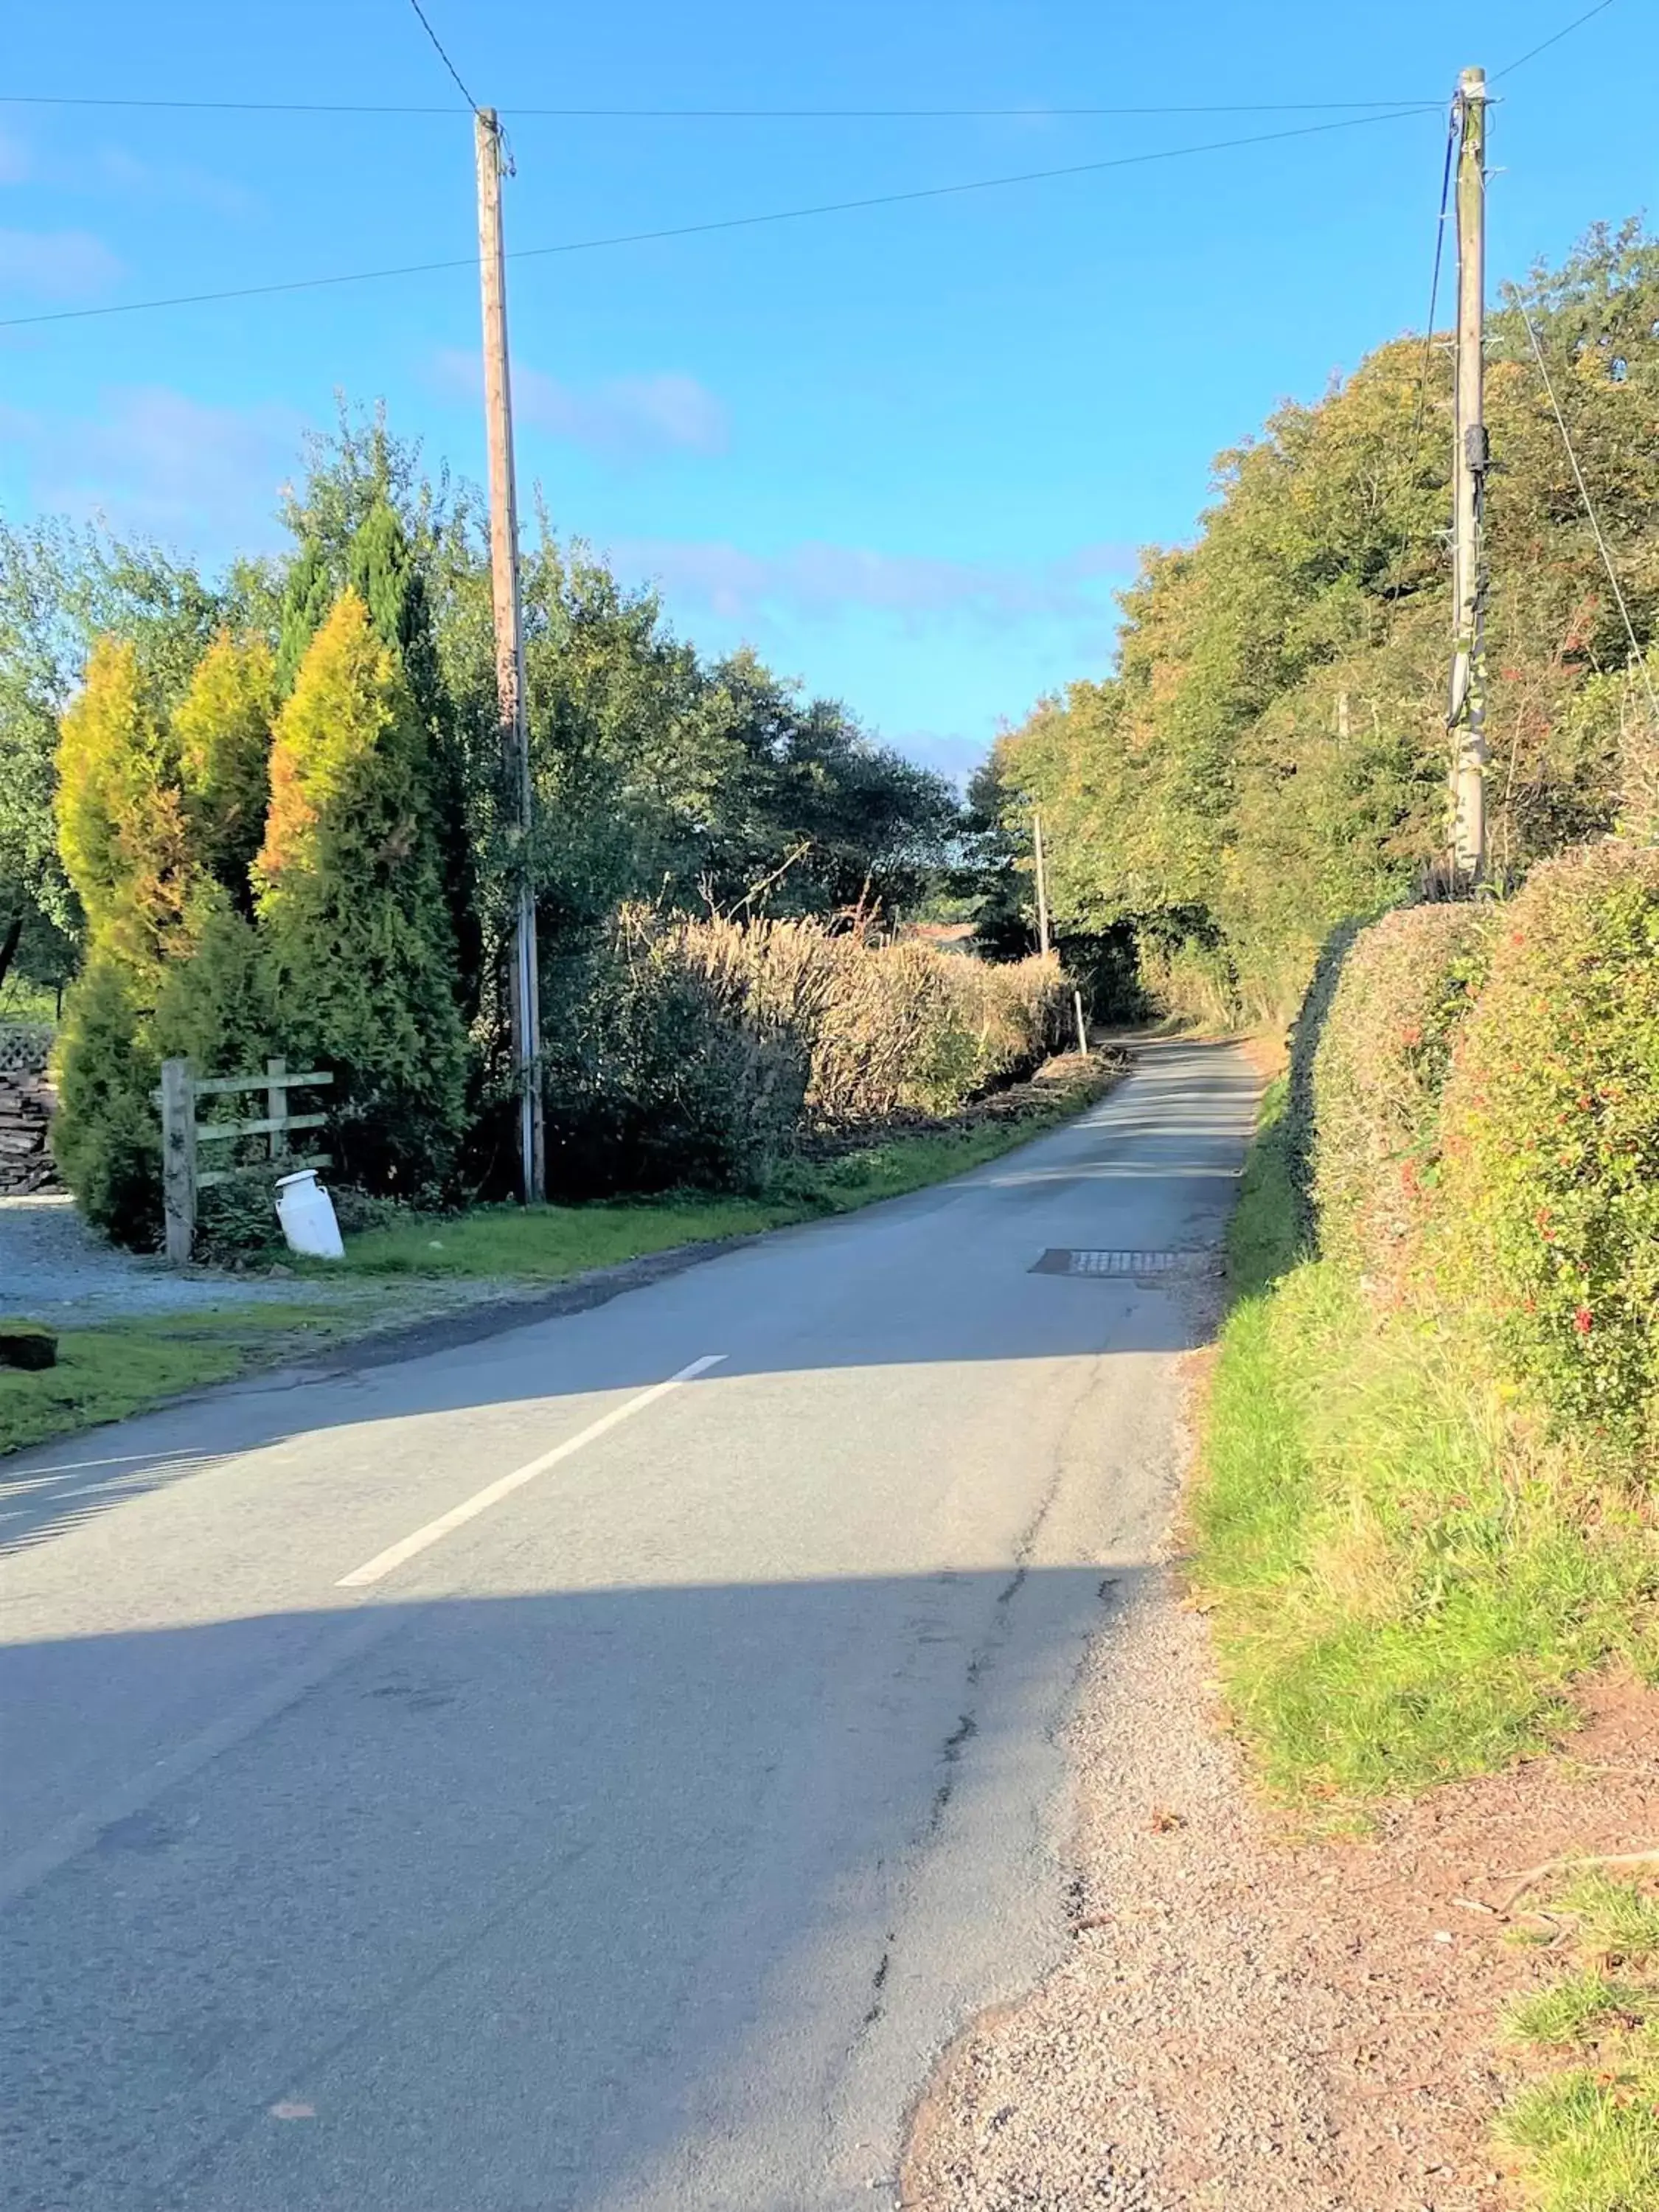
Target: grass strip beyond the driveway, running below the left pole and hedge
<point x="547" y="1244"/>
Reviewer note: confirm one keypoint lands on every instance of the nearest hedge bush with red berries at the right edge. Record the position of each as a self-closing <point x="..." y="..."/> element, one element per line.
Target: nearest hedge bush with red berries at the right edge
<point x="1552" y="1136"/>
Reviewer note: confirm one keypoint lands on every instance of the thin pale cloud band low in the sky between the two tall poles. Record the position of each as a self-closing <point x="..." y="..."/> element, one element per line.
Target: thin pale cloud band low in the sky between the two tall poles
<point x="822" y="581"/>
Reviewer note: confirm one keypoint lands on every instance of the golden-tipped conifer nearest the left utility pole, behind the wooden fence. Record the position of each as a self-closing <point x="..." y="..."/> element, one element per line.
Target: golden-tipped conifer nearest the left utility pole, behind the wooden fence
<point x="353" y="910"/>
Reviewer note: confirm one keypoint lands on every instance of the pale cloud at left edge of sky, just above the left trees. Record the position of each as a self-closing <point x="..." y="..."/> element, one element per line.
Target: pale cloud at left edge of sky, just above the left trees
<point x="165" y="463"/>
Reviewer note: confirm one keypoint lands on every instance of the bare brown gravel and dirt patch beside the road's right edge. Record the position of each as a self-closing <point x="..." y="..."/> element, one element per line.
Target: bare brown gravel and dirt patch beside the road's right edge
<point x="1255" y="2023"/>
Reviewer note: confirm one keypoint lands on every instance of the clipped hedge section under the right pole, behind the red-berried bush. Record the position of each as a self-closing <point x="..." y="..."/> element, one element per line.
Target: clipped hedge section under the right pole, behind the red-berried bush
<point x="1379" y="1072"/>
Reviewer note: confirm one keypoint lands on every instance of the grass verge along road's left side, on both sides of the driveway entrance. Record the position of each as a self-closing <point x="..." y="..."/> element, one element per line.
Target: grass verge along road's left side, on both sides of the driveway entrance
<point x="121" y="1368"/>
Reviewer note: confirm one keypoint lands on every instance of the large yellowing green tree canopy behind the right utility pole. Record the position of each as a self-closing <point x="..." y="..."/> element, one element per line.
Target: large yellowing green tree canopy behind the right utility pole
<point x="1271" y="751"/>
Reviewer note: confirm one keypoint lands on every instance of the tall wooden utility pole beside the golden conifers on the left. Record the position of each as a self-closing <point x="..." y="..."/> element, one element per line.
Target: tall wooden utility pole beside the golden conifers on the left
<point x="510" y="651"/>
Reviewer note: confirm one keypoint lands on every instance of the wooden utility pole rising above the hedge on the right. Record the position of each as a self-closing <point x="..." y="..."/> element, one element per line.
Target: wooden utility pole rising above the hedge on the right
<point x="1468" y="713"/>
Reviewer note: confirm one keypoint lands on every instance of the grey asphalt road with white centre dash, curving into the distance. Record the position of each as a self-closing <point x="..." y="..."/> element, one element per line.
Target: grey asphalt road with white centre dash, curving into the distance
<point x="499" y="1784"/>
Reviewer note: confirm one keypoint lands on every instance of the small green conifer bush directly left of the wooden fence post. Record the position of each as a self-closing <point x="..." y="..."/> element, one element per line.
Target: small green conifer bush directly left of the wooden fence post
<point x="107" y="1134"/>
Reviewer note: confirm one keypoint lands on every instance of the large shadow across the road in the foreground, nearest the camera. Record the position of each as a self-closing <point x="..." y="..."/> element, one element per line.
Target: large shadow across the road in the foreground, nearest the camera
<point x="501" y="1899"/>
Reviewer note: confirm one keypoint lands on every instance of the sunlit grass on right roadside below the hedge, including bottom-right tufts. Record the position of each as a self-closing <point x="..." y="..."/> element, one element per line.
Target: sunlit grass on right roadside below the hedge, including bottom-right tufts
<point x="1406" y="1580"/>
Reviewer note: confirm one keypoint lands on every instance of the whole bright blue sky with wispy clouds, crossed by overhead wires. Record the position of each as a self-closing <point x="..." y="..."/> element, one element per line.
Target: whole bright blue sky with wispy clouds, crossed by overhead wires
<point x="906" y="452"/>
